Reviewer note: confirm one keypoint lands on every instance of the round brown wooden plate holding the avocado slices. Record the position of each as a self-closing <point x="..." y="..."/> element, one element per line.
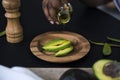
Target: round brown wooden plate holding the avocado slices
<point x="81" y="46"/>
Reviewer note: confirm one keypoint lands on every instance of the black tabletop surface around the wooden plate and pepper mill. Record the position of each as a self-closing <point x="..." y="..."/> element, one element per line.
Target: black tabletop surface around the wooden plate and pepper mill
<point x="92" y="23"/>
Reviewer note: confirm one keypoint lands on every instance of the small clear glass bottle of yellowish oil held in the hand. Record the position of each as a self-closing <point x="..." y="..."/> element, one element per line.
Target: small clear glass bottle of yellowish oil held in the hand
<point x="65" y="13"/>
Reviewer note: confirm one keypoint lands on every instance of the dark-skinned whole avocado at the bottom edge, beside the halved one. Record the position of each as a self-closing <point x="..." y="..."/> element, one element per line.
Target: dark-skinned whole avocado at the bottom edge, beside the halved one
<point x="75" y="74"/>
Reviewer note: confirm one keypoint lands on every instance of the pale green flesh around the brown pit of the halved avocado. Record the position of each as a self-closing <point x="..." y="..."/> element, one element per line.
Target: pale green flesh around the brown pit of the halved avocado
<point x="98" y="69"/>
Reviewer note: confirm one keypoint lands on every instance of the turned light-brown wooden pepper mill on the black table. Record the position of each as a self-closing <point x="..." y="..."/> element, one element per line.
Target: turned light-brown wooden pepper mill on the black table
<point x="14" y="31"/>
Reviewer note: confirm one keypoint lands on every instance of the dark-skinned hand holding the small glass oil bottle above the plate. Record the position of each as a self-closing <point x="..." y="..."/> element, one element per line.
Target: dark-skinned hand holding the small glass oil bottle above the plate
<point x="50" y="8"/>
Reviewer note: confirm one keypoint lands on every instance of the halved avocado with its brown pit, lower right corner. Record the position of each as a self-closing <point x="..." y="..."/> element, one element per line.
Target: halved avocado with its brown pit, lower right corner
<point x="104" y="69"/>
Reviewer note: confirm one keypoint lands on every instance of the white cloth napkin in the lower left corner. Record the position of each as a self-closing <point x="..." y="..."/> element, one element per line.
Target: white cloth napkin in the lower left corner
<point x="17" y="73"/>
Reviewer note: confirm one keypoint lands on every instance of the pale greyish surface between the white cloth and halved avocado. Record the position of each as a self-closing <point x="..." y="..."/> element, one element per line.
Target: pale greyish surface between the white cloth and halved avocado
<point x="47" y="73"/>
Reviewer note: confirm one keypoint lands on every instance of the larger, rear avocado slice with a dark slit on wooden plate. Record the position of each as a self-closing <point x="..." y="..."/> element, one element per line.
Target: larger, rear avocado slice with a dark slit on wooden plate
<point x="57" y="45"/>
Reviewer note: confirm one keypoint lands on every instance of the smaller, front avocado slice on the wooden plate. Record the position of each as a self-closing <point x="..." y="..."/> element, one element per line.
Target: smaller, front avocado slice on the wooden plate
<point x="64" y="51"/>
